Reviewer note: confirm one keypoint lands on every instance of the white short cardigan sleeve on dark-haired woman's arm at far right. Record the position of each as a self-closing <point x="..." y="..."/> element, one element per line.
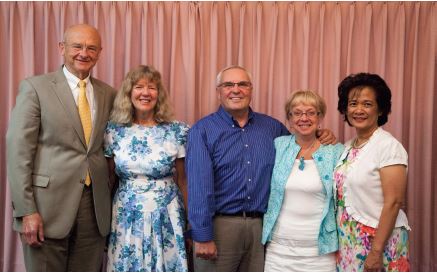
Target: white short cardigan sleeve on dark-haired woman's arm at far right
<point x="393" y="154"/>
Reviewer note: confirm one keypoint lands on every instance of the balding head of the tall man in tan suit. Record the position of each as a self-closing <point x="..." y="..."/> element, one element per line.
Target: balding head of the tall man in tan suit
<point x="81" y="49"/>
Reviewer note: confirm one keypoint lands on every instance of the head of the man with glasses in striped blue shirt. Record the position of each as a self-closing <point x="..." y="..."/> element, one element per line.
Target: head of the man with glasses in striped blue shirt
<point x="235" y="99"/>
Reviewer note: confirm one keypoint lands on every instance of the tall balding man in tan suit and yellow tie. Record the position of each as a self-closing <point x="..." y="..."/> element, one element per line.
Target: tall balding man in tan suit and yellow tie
<point x="56" y="169"/>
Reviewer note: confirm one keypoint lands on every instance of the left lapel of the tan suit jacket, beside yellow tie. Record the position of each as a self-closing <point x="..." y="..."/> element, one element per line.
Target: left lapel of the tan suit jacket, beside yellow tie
<point x="63" y="92"/>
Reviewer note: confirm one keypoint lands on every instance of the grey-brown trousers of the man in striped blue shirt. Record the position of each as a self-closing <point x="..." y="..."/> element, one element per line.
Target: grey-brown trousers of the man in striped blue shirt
<point x="239" y="248"/>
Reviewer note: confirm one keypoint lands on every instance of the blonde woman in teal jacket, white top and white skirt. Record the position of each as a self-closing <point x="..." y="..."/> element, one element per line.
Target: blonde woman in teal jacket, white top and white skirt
<point x="299" y="225"/>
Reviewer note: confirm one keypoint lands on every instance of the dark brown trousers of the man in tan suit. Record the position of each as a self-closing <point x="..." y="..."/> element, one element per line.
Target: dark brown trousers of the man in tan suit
<point x="81" y="250"/>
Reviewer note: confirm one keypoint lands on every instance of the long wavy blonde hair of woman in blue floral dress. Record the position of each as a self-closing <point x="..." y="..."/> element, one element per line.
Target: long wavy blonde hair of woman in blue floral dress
<point x="123" y="111"/>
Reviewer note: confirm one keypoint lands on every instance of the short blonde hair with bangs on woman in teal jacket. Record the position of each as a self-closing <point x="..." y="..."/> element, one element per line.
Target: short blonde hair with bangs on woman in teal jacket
<point x="307" y="97"/>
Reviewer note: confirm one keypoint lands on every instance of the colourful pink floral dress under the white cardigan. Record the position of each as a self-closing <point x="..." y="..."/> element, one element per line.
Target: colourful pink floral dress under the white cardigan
<point x="355" y="238"/>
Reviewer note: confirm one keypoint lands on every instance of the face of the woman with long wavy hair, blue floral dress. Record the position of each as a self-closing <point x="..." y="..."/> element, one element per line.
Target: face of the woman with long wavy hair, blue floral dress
<point x="144" y="97"/>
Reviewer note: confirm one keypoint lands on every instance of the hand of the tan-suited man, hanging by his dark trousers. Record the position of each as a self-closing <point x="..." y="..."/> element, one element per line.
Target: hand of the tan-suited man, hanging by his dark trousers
<point x="33" y="232"/>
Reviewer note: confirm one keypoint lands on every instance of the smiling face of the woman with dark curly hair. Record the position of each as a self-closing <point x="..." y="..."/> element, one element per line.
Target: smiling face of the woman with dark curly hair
<point x="362" y="110"/>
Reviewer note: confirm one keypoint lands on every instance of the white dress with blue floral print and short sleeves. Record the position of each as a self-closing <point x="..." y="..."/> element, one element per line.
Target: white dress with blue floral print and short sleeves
<point x="147" y="210"/>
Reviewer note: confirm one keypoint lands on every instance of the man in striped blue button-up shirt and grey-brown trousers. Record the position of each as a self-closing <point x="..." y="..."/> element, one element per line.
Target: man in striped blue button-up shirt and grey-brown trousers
<point x="229" y="162"/>
